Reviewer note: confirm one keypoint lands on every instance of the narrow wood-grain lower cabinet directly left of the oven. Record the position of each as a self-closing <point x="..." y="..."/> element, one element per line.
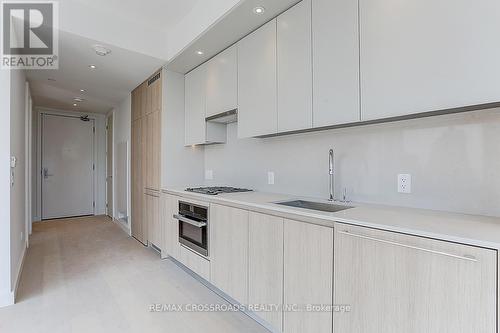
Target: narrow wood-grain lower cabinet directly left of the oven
<point x="169" y="207"/>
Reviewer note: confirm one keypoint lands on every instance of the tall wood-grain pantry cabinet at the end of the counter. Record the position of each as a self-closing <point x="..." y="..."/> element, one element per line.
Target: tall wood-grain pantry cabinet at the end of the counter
<point x="146" y="162"/>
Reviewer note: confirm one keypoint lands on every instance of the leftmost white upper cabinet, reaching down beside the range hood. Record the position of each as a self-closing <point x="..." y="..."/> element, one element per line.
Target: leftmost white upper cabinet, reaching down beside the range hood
<point x="197" y="130"/>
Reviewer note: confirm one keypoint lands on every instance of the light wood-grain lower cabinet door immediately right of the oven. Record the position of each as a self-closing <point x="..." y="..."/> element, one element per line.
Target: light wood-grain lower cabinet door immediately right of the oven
<point x="229" y="251"/>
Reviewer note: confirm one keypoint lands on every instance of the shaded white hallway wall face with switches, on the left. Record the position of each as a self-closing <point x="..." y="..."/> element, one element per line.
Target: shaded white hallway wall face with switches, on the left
<point x="18" y="189"/>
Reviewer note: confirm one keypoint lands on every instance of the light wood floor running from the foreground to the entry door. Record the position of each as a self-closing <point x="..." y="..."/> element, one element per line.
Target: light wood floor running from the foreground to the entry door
<point x="87" y="275"/>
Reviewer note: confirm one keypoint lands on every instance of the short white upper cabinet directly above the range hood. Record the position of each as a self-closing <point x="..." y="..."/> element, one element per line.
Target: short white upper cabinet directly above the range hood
<point x="222" y="82"/>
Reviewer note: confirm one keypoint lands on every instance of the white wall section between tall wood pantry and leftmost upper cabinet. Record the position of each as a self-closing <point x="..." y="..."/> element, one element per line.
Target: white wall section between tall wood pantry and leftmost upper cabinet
<point x="181" y="165"/>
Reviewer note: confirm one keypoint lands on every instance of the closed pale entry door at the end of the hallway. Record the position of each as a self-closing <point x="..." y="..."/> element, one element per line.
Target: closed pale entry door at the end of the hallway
<point x="67" y="167"/>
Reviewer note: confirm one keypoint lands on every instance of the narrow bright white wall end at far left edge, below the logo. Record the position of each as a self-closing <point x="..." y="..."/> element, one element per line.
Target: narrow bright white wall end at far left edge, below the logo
<point x="6" y="297"/>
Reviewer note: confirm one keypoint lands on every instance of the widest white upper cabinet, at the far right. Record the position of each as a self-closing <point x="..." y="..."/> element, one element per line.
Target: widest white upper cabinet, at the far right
<point x="428" y="55"/>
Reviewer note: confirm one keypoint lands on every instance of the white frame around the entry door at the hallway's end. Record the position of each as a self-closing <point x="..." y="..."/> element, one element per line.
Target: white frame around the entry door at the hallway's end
<point x="92" y="118"/>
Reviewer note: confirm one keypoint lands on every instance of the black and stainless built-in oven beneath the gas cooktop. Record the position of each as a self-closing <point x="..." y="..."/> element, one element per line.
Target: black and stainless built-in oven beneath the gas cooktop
<point x="193" y="227"/>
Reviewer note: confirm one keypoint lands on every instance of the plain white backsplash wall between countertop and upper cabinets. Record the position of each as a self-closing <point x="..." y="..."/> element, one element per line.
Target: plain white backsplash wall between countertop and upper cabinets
<point x="454" y="161"/>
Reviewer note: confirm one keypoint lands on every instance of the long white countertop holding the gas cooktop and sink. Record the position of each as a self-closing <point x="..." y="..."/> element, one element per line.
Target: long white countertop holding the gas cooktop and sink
<point x="461" y="228"/>
